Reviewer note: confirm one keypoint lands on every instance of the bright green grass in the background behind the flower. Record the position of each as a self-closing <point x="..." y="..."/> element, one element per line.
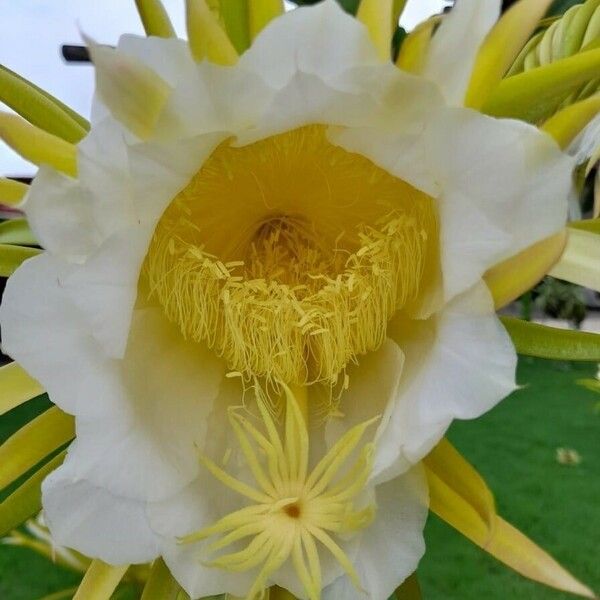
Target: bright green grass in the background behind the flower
<point x="513" y="447"/>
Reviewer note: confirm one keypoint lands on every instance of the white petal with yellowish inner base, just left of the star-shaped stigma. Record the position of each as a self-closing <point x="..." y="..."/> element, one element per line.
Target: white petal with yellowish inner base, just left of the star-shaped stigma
<point x="149" y="450"/>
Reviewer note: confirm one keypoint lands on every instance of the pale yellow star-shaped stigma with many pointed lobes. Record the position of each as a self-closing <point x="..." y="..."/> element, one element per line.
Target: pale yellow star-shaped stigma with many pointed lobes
<point x="292" y="510"/>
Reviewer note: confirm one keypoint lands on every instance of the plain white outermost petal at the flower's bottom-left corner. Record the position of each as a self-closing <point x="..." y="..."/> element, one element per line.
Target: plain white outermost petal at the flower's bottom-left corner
<point x="95" y="522"/>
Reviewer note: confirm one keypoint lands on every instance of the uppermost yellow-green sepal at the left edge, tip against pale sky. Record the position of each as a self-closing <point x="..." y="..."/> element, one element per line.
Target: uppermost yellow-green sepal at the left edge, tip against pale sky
<point x="40" y="108"/>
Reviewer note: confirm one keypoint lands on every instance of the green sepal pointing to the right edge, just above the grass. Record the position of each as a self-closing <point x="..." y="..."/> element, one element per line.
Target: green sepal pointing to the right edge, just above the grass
<point x="542" y="341"/>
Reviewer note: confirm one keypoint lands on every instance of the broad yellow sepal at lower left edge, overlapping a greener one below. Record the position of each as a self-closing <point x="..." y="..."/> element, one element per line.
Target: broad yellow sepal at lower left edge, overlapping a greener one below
<point x="33" y="443"/>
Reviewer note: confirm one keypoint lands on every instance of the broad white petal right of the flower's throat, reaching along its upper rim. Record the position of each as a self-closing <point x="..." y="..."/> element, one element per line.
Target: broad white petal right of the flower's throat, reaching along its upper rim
<point x="501" y="185"/>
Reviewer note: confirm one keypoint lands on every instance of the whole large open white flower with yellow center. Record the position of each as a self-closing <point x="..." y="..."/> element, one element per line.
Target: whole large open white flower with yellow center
<point x="310" y="217"/>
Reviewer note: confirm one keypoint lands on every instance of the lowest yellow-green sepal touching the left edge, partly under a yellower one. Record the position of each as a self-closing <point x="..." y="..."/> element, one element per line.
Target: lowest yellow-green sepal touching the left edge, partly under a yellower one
<point x="26" y="500"/>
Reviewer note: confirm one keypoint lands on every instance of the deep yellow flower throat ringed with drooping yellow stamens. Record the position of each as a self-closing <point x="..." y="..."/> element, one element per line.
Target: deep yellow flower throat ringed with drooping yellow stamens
<point x="289" y="256"/>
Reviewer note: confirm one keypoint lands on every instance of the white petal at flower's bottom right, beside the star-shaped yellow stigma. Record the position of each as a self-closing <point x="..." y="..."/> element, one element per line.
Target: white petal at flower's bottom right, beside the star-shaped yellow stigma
<point x="389" y="550"/>
